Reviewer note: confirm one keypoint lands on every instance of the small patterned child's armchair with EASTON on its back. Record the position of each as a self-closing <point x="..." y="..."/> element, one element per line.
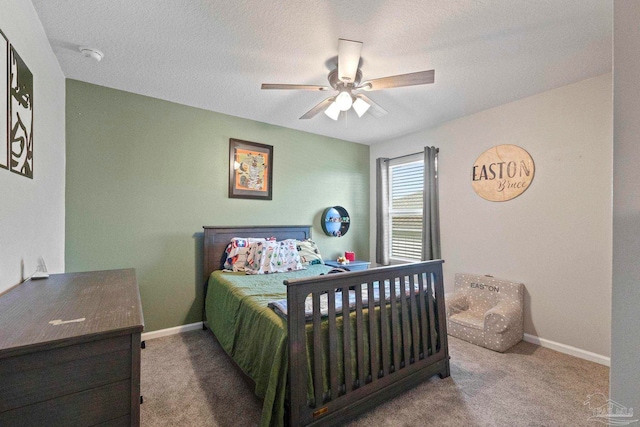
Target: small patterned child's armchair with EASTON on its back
<point x="486" y="311"/>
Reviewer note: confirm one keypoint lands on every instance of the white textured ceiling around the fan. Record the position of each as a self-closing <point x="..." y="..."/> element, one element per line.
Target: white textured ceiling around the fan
<point x="214" y="54"/>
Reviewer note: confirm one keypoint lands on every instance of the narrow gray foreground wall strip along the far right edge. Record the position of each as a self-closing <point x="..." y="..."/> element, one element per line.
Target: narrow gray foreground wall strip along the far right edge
<point x="625" y="339"/>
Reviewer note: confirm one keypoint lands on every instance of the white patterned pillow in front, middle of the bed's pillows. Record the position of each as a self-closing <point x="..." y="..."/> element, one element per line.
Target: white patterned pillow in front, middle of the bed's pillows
<point x="273" y="257"/>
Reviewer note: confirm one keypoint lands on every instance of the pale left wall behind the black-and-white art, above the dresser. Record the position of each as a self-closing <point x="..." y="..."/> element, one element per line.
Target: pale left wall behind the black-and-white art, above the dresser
<point x="32" y="210"/>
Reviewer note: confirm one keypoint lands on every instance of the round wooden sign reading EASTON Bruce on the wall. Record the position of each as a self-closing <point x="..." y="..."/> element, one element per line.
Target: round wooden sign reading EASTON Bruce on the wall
<point x="502" y="173"/>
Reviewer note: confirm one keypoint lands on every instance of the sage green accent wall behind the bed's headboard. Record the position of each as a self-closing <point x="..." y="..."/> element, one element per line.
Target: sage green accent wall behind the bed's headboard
<point x="144" y="175"/>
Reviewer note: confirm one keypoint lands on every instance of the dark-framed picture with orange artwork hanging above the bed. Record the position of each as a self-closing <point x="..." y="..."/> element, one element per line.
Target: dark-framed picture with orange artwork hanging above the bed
<point x="250" y="170"/>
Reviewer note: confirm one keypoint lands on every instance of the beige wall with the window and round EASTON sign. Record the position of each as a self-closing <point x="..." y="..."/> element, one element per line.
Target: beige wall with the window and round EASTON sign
<point x="556" y="237"/>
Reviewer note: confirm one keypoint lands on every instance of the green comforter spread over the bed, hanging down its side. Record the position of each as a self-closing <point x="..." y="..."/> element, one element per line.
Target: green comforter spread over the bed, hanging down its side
<point x="253" y="334"/>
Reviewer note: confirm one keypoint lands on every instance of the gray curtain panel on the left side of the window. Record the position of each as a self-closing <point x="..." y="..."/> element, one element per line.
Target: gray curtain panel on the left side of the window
<point x="382" y="211"/>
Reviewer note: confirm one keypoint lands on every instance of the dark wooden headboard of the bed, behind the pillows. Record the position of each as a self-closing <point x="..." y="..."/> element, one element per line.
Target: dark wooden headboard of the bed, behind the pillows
<point x="216" y="240"/>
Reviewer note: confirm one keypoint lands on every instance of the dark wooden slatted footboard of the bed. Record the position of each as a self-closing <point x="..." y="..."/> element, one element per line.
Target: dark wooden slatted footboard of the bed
<point x="402" y="343"/>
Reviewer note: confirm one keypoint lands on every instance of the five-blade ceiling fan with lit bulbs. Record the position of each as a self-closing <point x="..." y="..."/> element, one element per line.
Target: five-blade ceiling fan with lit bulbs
<point x="347" y="80"/>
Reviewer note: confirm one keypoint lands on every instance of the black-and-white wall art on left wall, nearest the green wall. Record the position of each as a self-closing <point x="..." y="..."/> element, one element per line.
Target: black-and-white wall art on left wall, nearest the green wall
<point x="21" y="116"/>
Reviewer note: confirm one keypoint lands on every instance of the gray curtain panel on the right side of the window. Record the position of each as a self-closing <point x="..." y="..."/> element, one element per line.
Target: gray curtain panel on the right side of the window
<point x="430" y="207"/>
